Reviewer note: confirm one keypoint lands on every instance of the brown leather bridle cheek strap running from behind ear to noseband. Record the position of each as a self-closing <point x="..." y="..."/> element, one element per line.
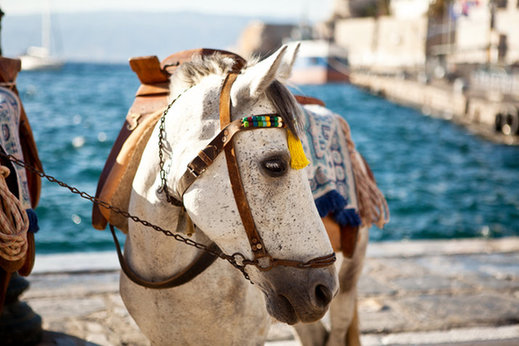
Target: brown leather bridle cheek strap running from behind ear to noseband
<point x="257" y="246"/>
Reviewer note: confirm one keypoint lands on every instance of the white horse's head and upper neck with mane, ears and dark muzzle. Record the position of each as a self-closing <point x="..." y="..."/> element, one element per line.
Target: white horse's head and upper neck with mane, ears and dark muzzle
<point x="287" y="224"/>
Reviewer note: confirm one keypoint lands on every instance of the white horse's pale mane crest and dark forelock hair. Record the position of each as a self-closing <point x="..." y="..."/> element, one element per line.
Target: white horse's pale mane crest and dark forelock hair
<point x="192" y="72"/>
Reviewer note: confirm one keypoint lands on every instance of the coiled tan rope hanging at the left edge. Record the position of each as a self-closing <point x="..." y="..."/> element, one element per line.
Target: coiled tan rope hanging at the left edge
<point x="13" y="222"/>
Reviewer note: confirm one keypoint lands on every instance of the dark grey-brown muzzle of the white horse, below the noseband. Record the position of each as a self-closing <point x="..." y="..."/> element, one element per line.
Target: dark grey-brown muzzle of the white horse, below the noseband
<point x="299" y="295"/>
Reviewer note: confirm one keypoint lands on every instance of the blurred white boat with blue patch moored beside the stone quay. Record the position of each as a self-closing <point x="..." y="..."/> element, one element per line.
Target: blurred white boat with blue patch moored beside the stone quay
<point x="320" y="62"/>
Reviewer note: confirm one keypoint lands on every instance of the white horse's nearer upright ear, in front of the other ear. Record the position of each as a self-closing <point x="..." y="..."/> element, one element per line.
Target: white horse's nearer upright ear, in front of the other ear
<point x="255" y="80"/>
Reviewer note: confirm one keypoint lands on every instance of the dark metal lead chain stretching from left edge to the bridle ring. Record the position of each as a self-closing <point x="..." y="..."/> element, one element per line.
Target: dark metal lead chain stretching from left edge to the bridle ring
<point x="233" y="259"/>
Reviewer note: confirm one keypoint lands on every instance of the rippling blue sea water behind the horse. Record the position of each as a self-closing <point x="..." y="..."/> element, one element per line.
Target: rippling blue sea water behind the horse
<point x="439" y="180"/>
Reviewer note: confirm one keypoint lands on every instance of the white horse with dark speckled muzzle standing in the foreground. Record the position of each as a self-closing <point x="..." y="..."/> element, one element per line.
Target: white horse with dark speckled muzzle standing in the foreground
<point x="220" y="307"/>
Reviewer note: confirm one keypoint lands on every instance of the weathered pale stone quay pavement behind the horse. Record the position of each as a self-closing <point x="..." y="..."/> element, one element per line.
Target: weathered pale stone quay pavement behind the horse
<point x="457" y="292"/>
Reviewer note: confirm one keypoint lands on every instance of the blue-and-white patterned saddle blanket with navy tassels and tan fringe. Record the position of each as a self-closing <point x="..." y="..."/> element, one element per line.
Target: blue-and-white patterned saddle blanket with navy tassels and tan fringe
<point x="344" y="189"/>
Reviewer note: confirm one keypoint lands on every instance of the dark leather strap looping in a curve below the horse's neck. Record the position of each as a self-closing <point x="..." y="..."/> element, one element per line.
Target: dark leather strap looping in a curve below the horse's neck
<point x="189" y="273"/>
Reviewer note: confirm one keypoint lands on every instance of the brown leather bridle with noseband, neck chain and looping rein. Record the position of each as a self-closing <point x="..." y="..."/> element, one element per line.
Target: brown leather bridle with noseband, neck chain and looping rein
<point x="223" y="142"/>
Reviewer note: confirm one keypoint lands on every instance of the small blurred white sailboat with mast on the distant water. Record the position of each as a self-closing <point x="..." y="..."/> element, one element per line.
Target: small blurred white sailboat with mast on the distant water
<point x="40" y="58"/>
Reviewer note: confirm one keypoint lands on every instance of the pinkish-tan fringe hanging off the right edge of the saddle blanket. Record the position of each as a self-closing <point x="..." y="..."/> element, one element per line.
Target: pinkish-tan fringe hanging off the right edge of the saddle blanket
<point x="372" y="203"/>
